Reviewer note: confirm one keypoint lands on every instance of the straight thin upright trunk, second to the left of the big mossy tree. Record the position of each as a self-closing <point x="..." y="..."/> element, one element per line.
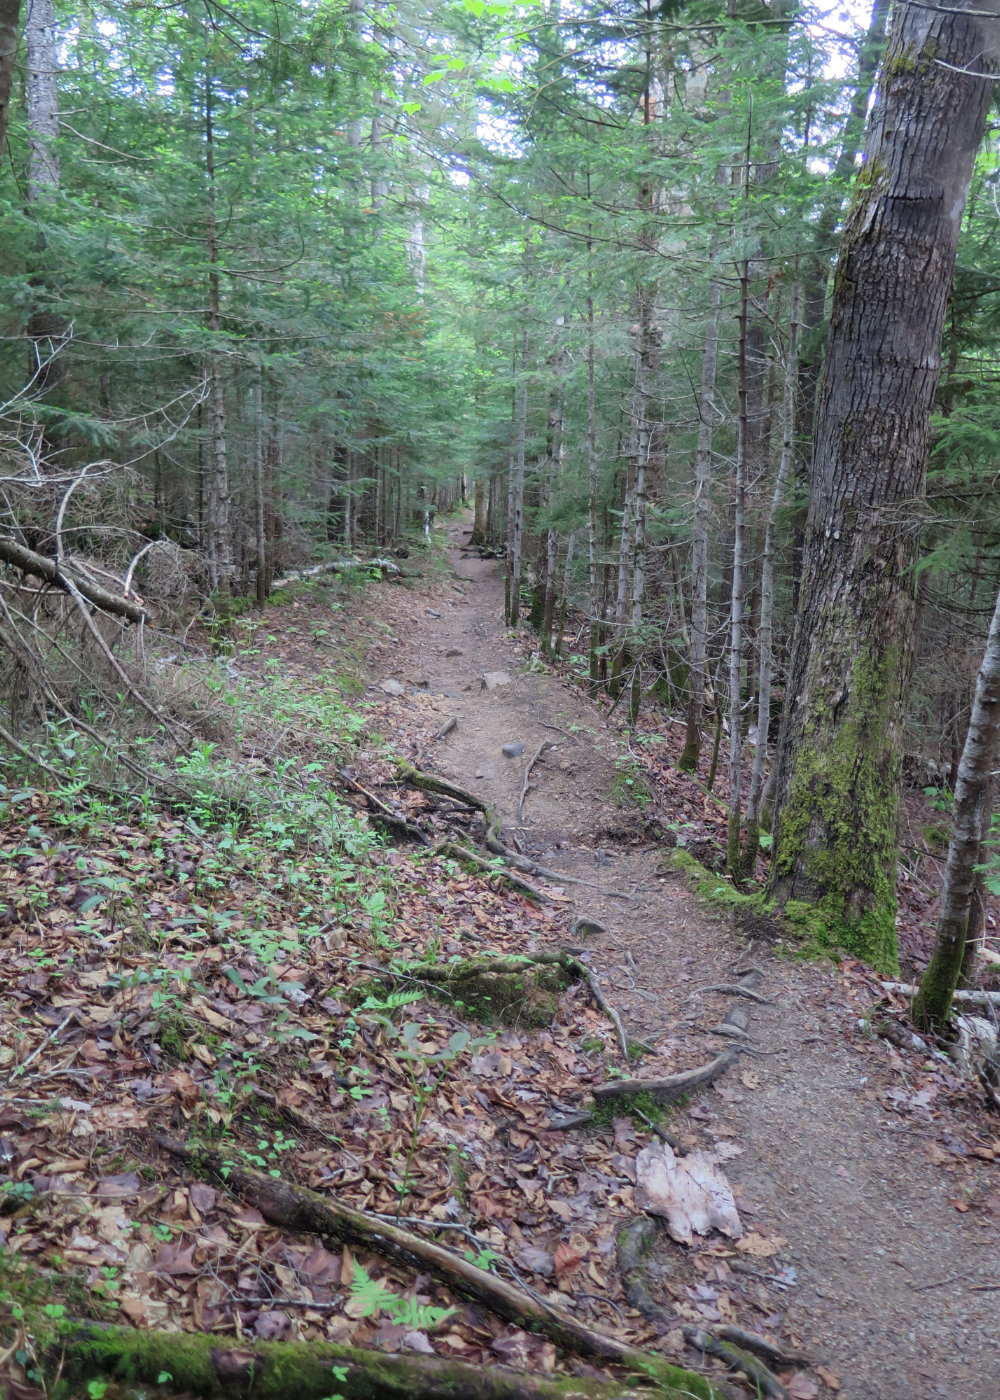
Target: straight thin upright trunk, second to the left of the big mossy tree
<point x="737" y="596"/>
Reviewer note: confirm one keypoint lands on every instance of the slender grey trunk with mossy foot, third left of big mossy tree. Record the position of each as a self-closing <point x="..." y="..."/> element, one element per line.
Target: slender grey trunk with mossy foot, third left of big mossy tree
<point x="700" y="538"/>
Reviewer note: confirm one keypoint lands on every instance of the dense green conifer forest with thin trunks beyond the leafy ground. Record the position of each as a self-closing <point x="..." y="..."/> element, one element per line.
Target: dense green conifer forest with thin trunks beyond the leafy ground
<point x="281" y="282"/>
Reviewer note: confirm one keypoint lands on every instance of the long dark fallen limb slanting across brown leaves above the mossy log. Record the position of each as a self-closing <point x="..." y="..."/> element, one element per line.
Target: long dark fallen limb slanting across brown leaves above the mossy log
<point x="296" y="1209"/>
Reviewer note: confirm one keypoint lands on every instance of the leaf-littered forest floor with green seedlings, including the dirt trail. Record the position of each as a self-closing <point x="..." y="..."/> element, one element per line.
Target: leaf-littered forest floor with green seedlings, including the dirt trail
<point x="166" y="974"/>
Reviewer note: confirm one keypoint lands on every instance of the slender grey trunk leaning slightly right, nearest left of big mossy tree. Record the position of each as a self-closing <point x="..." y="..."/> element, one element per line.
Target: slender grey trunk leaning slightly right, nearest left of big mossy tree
<point x="754" y="801"/>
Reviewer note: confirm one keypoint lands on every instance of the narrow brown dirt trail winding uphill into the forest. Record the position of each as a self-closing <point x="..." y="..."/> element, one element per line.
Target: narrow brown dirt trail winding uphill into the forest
<point x="861" y="1193"/>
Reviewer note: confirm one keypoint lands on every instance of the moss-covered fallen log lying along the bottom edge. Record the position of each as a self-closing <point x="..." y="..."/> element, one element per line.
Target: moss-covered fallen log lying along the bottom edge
<point x="211" y="1367"/>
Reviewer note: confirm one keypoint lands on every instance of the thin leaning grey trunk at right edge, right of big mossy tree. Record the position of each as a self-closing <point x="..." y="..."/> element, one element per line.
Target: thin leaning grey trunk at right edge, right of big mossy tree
<point x="973" y="797"/>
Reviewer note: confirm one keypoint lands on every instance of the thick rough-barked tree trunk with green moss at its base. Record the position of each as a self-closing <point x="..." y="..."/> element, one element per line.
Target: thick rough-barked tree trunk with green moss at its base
<point x="840" y="755"/>
